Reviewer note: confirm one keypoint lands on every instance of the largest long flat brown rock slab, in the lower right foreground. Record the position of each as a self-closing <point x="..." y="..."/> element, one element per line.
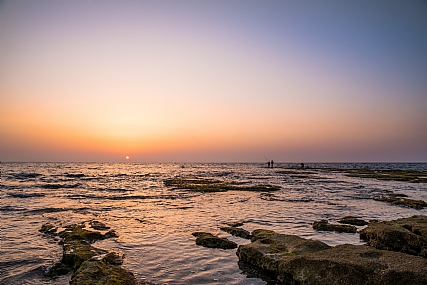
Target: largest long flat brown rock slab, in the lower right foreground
<point x="294" y="260"/>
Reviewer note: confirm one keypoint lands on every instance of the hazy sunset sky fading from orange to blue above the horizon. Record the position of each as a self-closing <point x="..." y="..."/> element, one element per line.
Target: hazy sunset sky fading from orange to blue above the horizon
<point x="213" y="81"/>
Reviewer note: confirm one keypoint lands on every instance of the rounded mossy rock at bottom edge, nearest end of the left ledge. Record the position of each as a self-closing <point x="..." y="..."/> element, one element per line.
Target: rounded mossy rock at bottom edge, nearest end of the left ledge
<point x="102" y="273"/>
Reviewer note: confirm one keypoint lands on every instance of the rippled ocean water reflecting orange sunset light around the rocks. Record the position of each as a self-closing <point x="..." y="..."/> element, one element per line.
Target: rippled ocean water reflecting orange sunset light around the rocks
<point x="154" y="223"/>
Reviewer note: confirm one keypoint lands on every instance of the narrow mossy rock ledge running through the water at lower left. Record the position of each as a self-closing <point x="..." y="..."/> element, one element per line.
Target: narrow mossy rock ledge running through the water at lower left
<point x="90" y="265"/>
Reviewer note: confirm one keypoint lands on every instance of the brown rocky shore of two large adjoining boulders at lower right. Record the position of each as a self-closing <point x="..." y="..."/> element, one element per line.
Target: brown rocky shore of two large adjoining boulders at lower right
<point x="390" y="260"/>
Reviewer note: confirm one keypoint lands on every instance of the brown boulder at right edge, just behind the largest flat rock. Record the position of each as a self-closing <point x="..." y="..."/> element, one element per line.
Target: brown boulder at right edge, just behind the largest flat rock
<point x="408" y="235"/>
